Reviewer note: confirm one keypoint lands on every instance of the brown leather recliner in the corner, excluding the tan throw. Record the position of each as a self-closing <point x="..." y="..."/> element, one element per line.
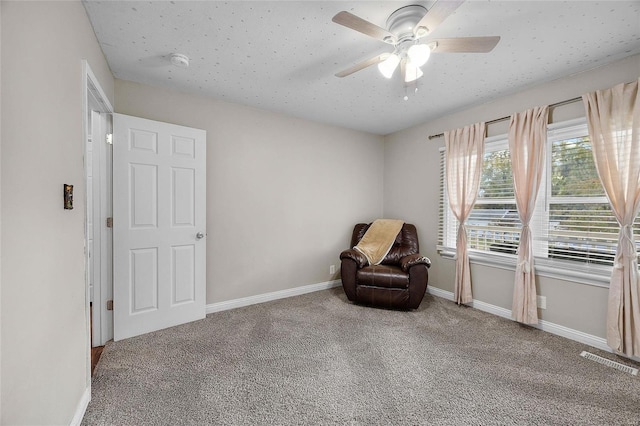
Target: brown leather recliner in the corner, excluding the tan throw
<point x="399" y="282"/>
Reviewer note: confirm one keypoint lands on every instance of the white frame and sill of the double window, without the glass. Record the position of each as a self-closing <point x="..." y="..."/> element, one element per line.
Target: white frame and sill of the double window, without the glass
<point x="586" y="273"/>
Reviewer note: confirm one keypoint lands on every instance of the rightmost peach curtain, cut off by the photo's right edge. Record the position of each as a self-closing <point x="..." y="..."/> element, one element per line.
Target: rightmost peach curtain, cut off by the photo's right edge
<point x="614" y="128"/>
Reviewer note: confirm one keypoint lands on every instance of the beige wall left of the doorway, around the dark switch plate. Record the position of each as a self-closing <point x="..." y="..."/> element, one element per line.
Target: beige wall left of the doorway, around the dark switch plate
<point x="44" y="329"/>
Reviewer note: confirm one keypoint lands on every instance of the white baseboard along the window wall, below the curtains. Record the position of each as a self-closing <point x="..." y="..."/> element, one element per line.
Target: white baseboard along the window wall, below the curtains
<point x="559" y="330"/>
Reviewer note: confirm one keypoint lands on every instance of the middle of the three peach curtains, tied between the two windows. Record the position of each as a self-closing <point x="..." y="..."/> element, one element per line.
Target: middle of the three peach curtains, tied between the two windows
<point x="527" y="140"/>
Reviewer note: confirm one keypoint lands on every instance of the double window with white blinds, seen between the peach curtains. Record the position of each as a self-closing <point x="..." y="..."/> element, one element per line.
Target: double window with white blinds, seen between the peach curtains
<point x="573" y="223"/>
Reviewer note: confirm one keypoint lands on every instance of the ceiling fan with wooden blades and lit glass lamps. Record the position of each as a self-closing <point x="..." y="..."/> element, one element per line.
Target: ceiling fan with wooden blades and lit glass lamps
<point x="406" y="29"/>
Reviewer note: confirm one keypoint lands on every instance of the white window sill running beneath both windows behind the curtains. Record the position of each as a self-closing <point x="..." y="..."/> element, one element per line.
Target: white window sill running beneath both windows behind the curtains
<point x="596" y="275"/>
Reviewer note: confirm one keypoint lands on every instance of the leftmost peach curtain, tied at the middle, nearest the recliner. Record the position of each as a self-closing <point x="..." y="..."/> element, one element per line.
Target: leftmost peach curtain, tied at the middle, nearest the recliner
<point x="464" y="154"/>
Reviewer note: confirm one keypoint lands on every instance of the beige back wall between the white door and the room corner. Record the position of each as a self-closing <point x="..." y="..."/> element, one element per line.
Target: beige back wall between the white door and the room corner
<point x="283" y="193"/>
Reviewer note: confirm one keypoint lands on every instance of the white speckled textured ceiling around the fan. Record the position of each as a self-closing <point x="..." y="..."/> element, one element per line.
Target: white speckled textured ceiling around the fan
<point x="282" y="55"/>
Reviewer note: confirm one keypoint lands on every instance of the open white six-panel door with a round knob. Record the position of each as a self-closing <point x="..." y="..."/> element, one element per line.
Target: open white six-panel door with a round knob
<point x="159" y="225"/>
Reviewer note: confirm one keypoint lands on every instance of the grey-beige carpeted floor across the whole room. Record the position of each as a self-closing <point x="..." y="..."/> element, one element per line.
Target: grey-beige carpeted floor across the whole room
<point x="316" y="359"/>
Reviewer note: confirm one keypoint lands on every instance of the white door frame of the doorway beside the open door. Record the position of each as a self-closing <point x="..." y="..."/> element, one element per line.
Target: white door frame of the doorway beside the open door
<point x="94" y="99"/>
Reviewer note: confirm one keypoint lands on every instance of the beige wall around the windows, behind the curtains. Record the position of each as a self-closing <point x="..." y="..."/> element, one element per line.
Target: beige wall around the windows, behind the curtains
<point x="412" y="161"/>
